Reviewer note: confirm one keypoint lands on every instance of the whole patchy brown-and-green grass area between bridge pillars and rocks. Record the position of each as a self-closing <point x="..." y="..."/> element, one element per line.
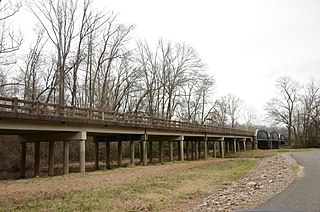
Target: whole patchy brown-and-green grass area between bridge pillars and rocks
<point x="169" y="187"/>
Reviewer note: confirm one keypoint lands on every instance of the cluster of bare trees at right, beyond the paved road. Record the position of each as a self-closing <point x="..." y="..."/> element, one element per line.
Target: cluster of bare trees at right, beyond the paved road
<point x="297" y="108"/>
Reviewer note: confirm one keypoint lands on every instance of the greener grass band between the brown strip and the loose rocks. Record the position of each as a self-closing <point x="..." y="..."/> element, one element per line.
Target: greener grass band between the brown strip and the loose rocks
<point x="153" y="194"/>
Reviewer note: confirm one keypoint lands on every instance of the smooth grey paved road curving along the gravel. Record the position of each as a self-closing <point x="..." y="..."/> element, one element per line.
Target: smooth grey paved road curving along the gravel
<point x="304" y="193"/>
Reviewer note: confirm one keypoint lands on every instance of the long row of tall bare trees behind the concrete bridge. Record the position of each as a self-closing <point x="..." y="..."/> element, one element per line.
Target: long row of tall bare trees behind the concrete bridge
<point x="82" y="56"/>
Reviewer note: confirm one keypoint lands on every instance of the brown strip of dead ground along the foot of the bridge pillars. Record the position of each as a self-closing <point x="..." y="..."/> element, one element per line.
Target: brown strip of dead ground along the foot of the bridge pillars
<point x="16" y="191"/>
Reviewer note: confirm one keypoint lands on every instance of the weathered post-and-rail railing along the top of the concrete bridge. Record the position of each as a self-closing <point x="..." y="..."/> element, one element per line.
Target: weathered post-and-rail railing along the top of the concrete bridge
<point x="37" y="108"/>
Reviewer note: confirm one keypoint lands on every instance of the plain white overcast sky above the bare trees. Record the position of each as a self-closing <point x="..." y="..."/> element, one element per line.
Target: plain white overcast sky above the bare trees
<point x="247" y="44"/>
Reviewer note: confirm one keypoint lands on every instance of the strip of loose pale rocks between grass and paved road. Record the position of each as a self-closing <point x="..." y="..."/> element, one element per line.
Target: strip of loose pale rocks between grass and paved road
<point x="271" y="176"/>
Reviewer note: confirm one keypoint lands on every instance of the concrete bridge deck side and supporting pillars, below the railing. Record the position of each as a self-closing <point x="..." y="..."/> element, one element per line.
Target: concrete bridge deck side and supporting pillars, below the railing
<point x="181" y="144"/>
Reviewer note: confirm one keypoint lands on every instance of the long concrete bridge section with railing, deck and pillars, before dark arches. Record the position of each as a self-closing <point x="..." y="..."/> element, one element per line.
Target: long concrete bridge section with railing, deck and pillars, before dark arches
<point x="35" y="122"/>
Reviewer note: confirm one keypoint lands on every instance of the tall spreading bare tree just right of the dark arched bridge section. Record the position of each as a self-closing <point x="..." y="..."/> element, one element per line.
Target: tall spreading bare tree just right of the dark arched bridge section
<point x="282" y="108"/>
